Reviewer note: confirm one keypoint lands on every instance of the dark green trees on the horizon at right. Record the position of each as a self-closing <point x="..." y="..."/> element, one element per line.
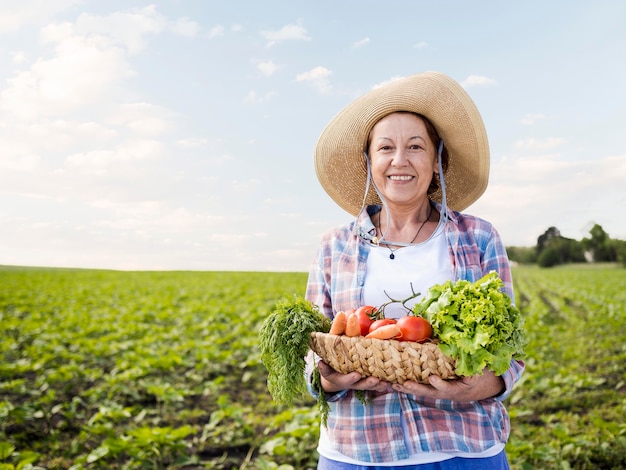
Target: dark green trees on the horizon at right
<point x="553" y="249"/>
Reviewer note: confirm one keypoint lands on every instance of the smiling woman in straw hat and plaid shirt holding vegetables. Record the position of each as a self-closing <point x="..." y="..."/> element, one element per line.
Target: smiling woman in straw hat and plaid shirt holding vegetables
<point x="405" y="159"/>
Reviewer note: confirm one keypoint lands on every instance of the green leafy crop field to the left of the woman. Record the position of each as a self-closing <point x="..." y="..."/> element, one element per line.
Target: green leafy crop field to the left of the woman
<point x="106" y="369"/>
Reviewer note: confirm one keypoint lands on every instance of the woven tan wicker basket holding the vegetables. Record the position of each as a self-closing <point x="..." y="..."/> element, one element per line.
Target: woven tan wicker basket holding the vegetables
<point x="390" y="360"/>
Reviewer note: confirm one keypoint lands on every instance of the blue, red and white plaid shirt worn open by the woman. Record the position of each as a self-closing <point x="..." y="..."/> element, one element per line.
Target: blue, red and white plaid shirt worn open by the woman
<point x="395" y="425"/>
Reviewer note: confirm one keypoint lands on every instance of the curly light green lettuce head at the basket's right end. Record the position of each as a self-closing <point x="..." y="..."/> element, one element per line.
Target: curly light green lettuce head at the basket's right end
<point x="476" y="323"/>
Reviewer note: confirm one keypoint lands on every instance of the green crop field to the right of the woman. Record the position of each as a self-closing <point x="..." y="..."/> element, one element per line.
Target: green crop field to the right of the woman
<point x="569" y="411"/>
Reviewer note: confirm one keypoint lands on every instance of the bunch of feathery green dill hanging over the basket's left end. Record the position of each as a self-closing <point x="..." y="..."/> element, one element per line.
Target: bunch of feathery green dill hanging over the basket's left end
<point x="284" y="339"/>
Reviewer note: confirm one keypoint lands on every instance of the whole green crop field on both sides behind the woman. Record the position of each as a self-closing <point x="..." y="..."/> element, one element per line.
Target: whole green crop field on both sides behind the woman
<point x="155" y="370"/>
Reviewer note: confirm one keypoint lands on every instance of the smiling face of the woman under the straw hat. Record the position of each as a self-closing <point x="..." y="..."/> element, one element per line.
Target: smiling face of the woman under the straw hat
<point x="403" y="158"/>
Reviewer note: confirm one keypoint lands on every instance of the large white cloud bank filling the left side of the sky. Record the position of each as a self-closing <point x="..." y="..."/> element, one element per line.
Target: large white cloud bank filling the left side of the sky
<point x="84" y="161"/>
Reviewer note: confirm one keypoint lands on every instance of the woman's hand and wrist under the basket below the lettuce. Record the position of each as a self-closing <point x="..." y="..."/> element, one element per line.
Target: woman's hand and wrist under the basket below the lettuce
<point x="477" y="387"/>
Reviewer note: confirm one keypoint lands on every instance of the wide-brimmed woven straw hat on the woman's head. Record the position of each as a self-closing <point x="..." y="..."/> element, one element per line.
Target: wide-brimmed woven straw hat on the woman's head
<point x="341" y="167"/>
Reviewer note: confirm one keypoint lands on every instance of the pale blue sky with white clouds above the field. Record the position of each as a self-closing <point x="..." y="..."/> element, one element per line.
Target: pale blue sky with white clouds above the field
<point x="179" y="134"/>
